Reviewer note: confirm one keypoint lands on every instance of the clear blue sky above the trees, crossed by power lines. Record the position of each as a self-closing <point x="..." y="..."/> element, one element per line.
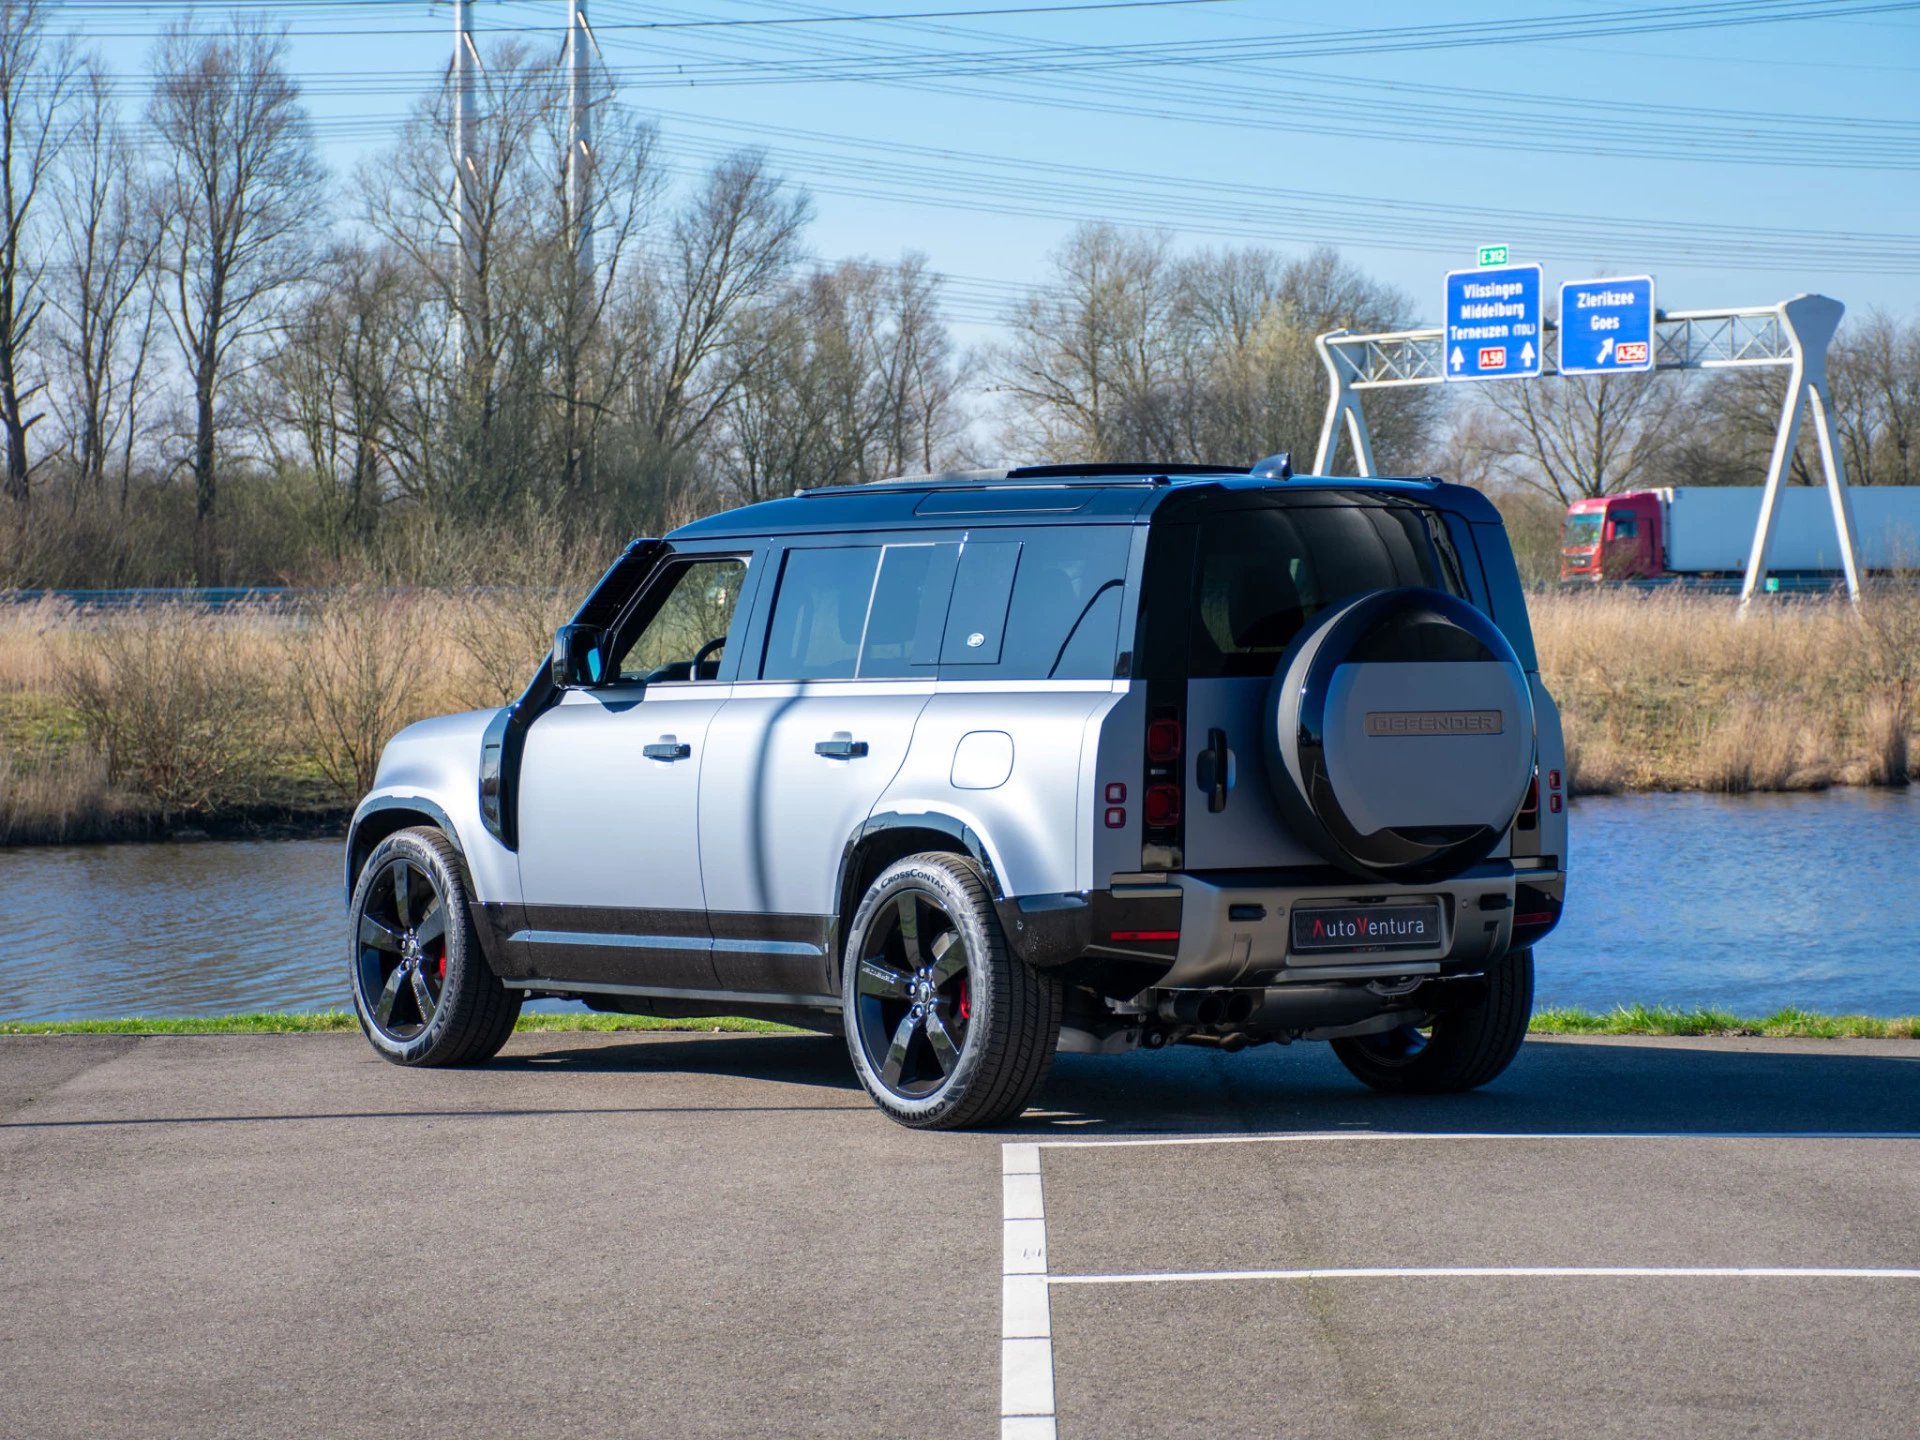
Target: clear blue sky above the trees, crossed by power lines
<point x="1737" y="164"/>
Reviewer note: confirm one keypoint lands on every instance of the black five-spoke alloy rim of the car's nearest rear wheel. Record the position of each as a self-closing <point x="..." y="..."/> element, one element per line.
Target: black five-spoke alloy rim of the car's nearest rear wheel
<point x="917" y="1003"/>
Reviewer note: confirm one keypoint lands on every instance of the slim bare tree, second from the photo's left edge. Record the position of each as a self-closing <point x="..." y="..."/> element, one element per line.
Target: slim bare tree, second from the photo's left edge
<point x="108" y="245"/>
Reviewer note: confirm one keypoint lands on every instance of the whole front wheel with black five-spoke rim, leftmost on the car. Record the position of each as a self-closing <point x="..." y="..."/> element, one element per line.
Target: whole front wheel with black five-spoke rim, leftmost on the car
<point x="421" y="988"/>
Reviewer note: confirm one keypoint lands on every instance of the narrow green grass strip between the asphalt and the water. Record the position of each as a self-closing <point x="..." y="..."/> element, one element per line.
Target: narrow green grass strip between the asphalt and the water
<point x="1625" y="1020"/>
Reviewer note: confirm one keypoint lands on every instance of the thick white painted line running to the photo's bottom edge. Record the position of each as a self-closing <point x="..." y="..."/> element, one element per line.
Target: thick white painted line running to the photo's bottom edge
<point x="1026" y="1322"/>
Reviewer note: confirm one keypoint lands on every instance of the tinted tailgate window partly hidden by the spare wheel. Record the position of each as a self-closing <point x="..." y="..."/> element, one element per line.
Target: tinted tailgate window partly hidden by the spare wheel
<point x="1260" y="575"/>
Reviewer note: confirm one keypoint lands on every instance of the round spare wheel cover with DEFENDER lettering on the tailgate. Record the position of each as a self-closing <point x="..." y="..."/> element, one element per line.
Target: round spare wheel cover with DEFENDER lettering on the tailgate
<point x="1401" y="734"/>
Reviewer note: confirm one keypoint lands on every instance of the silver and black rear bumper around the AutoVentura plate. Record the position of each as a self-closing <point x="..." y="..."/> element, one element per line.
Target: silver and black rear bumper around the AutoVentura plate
<point x="1236" y="928"/>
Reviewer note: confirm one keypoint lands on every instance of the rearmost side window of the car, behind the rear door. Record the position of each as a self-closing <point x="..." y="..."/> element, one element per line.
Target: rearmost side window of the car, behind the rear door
<point x="1038" y="606"/>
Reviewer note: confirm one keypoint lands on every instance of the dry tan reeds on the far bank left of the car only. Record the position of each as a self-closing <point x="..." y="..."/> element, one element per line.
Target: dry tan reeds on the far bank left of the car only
<point x="118" y="725"/>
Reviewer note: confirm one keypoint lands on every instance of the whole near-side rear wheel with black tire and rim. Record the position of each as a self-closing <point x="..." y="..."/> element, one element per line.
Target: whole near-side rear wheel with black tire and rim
<point x="946" y="1024"/>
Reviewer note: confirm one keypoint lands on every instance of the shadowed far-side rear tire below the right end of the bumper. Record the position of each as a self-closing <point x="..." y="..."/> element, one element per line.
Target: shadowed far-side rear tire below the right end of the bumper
<point x="1462" y="1049"/>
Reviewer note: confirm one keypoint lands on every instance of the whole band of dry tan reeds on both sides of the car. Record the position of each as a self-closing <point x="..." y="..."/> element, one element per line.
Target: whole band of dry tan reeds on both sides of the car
<point x="112" y="723"/>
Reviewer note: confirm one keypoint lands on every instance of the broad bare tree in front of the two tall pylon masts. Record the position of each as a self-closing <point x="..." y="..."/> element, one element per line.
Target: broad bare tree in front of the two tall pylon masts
<point x="548" y="343"/>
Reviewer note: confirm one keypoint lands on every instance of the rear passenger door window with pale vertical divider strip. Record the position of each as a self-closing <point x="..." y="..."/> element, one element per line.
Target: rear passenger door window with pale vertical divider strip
<point x="859" y="613"/>
